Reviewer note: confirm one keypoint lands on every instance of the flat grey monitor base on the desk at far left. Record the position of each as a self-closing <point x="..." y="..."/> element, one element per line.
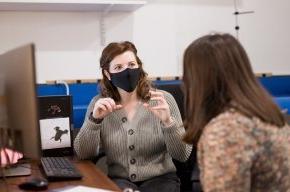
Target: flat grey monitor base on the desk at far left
<point x="22" y="169"/>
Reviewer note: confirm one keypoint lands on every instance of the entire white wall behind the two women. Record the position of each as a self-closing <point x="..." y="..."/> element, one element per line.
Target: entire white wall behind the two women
<point x="68" y="43"/>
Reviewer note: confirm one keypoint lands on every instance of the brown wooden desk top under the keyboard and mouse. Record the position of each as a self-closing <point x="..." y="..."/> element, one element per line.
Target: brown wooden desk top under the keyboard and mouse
<point x="92" y="177"/>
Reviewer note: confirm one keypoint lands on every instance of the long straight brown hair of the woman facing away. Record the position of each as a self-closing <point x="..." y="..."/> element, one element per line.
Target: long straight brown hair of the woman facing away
<point x="217" y="72"/>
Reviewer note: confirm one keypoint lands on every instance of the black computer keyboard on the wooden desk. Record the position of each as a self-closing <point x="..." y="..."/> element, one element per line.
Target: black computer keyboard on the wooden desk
<point x="59" y="168"/>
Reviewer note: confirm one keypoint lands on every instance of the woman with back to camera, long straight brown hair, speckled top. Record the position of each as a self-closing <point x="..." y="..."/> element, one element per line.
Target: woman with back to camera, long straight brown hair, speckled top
<point x="242" y="138"/>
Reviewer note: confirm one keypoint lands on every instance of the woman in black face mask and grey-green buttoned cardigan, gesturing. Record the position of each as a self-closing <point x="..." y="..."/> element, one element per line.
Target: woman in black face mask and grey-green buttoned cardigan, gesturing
<point x="138" y="128"/>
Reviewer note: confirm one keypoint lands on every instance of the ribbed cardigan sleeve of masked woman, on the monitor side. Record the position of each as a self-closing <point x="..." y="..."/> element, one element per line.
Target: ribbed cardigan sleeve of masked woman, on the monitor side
<point x="88" y="141"/>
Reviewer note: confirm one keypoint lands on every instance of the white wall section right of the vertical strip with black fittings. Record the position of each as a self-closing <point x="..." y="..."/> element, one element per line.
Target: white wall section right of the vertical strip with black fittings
<point x="265" y="35"/>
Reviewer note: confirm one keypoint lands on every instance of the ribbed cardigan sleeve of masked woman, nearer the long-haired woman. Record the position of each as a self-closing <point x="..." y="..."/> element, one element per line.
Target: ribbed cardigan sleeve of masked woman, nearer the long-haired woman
<point x="174" y="133"/>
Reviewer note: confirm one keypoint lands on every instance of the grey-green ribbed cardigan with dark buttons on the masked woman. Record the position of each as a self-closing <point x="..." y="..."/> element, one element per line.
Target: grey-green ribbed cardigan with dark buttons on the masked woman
<point x="136" y="150"/>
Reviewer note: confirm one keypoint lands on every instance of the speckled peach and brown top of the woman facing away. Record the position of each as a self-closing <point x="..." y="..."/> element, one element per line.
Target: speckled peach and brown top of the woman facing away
<point x="236" y="153"/>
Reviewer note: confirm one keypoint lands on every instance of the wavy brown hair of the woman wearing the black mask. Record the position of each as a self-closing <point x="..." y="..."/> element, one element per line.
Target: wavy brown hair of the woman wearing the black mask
<point x="107" y="88"/>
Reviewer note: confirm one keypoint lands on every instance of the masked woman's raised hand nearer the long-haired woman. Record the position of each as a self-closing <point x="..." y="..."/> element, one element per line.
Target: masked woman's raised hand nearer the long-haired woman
<point x="162" y="110"/>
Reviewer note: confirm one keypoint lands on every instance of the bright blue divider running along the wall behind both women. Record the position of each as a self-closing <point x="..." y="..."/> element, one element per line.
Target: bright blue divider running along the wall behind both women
<point x="83" y="91"/>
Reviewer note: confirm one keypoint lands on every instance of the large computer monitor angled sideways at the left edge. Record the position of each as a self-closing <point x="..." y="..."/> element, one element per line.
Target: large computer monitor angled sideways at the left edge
<point x="18" y="69"/>
